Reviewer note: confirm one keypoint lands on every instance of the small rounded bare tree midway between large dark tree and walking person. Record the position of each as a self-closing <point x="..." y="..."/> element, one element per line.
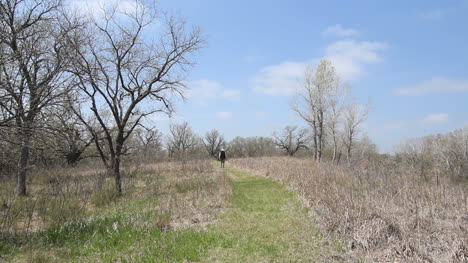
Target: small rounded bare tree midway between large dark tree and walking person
<point x="182" y="139"/>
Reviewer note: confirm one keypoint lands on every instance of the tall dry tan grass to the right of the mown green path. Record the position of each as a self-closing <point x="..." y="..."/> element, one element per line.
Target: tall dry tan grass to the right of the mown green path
<point x="385" y="213"/>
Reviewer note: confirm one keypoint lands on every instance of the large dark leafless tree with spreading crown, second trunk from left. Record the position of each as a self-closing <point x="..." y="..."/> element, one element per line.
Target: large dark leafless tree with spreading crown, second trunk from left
<point x="125" y="75"/>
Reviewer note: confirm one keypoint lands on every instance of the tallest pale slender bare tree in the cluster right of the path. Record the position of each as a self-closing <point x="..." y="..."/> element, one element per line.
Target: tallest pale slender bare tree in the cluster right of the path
<point x="314" y="101"/>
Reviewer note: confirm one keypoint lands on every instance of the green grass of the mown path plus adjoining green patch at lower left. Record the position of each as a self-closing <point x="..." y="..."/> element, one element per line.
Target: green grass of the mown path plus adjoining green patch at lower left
<point x="263" y="222"/>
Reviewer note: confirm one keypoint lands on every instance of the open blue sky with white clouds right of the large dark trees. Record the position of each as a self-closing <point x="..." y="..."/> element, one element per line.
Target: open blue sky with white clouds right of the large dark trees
<point x="409" y="57"/>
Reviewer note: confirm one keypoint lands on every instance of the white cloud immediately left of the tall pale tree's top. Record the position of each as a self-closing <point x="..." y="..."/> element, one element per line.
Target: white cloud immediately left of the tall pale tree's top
<point x="279" y="79"/>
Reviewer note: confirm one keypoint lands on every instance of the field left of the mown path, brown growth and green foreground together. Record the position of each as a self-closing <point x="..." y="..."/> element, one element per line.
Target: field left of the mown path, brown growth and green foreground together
<point x="161" y="216"/>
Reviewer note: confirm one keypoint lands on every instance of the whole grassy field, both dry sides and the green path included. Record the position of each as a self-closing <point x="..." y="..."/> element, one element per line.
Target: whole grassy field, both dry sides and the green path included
<point x="274" y="209"/>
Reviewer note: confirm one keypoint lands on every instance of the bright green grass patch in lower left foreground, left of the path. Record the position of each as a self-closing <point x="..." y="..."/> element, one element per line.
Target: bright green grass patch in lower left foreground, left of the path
<point x="134" y="237"/>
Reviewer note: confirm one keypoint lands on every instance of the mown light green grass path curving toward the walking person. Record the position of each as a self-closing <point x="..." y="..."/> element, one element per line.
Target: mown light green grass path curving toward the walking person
<point x="266" y="223"/>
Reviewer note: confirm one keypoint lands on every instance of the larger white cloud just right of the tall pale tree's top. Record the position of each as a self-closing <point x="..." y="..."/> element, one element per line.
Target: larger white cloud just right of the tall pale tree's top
<point x="350" y="57"/>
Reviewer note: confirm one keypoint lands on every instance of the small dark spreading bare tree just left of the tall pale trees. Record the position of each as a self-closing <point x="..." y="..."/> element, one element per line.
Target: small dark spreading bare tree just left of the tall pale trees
<point x="291" y="139"/>
